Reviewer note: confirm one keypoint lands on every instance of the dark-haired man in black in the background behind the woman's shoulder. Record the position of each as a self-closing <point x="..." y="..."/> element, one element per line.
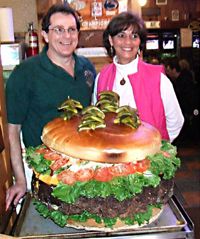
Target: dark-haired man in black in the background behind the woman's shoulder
<point x="187" y="93"/>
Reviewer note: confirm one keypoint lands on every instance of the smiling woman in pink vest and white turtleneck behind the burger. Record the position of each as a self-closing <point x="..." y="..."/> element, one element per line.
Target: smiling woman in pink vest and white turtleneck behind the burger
<point x="140" y="85"/>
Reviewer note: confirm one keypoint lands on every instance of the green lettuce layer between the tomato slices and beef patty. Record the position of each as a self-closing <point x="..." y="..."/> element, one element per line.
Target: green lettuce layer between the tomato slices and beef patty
<point x="120" y="187"/>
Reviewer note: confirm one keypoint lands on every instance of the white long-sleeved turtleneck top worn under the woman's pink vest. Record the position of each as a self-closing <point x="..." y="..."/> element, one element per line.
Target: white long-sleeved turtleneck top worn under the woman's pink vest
<point x="173" y="113"/>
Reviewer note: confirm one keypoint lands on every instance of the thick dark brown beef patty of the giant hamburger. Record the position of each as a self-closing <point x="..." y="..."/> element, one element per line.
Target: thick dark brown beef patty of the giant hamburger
<point x="109" y="206"/>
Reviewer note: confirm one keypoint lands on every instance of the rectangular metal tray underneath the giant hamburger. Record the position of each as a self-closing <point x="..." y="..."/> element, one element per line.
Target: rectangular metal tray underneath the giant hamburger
<point x="172" y="223"/>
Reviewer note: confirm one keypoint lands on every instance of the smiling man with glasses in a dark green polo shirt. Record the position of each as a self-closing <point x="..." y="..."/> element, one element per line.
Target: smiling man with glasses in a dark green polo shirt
<point x="40" y="84"/>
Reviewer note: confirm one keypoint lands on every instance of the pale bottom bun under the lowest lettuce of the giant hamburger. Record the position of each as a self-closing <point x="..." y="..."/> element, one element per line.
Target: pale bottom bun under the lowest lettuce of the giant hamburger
<point x="92" y="225"/>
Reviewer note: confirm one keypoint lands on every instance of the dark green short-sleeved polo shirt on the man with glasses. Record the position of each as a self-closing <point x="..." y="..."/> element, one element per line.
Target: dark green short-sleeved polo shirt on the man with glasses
<point x="37" y="87"/>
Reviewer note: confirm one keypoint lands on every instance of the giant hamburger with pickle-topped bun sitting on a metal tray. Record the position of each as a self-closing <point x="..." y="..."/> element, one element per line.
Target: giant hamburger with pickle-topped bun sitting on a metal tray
<point x="101" y="168"/>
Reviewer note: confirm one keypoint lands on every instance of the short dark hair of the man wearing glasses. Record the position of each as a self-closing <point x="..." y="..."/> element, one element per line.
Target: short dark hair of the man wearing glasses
<point x="59" y="8"/>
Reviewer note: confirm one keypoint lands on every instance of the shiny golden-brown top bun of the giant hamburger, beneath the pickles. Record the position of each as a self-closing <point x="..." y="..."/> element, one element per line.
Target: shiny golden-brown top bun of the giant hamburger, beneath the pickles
<point x="117" y="143"/>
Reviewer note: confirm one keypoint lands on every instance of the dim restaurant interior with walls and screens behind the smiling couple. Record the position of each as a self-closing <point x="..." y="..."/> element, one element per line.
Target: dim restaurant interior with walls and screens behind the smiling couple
<point x="173" y="30"/>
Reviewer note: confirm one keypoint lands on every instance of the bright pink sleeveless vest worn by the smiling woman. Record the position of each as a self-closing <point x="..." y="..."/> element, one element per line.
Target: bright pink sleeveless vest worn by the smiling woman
<point x="146" y="87"/>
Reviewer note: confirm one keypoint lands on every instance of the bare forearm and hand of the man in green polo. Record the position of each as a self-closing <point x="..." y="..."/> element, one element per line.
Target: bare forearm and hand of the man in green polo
<point x="16" y="191"/>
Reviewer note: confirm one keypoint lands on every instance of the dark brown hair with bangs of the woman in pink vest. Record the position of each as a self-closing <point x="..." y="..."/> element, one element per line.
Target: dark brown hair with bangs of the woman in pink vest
<point x="120" y="23"/>
